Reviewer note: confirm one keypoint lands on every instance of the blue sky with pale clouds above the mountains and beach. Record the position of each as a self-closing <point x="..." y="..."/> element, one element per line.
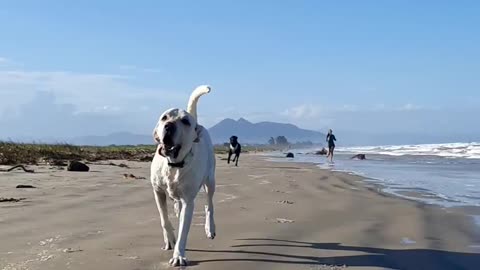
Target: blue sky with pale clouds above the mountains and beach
<point x="360" y="67"/>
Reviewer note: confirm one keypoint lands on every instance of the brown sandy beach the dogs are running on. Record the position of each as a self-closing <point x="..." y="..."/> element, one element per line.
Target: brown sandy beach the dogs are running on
<point x="268" y="215"/>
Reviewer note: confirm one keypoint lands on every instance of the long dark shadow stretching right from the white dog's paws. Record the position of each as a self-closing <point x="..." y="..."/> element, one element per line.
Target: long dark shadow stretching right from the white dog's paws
<point x="368" y="257"/>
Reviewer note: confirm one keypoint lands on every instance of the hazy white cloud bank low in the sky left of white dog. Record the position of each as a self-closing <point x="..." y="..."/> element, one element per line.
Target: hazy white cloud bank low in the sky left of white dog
<point x="75" y="103"/>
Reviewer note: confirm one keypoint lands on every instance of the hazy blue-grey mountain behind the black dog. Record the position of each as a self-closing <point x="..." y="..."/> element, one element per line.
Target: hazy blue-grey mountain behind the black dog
<point x="249" y="132"/>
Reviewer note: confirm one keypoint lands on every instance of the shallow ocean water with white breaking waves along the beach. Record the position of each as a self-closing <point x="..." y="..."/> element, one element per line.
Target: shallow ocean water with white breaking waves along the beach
<point x="443" y="174"/>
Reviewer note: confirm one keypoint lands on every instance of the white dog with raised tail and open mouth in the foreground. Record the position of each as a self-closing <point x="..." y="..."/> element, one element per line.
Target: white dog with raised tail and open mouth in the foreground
<point x="183" y="163"/>
